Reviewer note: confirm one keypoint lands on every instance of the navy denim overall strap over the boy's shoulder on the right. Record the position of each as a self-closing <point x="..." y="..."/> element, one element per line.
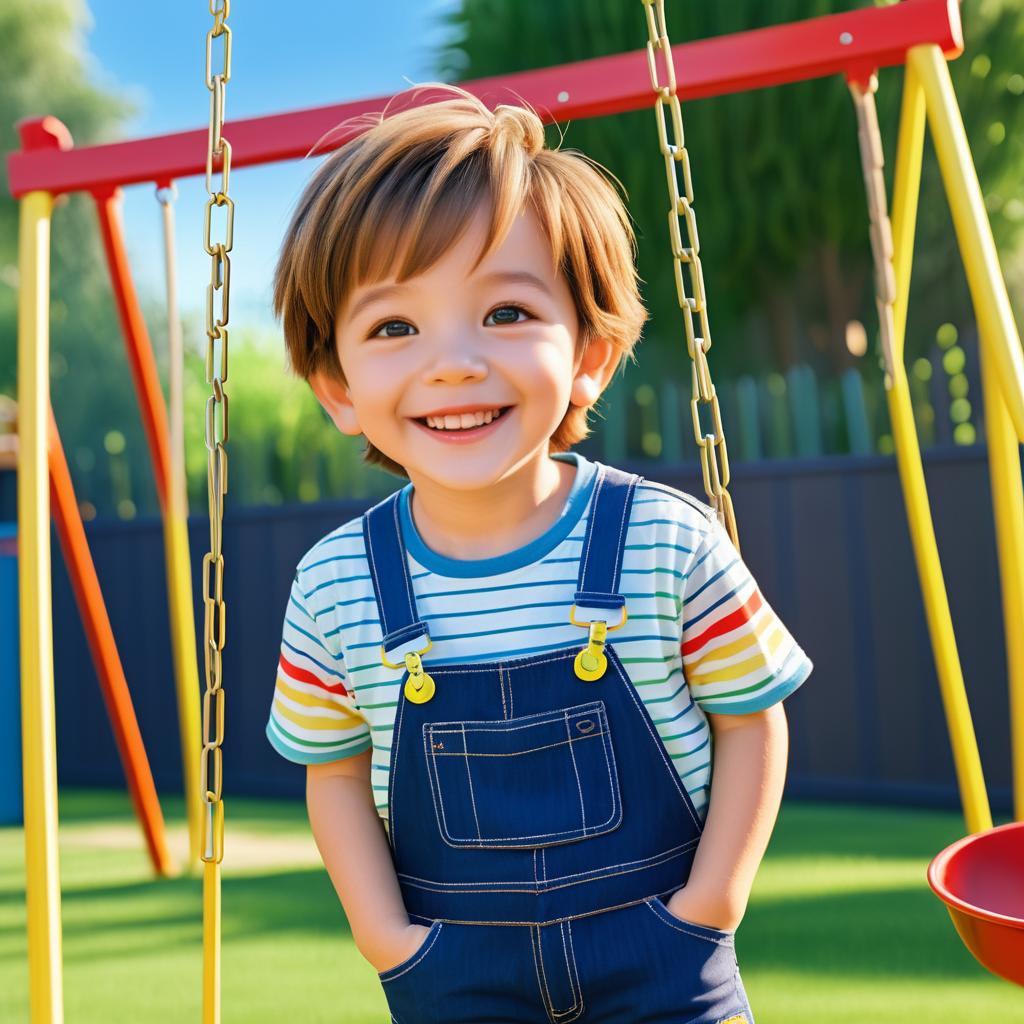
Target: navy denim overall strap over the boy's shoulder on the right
<point x="602" y="559"/>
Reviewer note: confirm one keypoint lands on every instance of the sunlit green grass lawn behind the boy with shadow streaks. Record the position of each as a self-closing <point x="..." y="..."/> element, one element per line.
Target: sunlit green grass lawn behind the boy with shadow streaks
<point x="842" y="926"/>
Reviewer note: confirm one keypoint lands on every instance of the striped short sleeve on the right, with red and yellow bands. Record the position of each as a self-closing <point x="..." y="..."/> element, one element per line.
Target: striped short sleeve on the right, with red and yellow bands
<point x="739" y="658"/>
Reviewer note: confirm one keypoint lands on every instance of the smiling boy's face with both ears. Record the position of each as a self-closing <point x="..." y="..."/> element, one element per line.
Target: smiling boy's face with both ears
<point x="446" y="342"/>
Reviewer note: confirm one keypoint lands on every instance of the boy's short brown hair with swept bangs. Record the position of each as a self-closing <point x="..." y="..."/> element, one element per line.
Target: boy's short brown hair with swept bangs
<point x="416" y="178"/>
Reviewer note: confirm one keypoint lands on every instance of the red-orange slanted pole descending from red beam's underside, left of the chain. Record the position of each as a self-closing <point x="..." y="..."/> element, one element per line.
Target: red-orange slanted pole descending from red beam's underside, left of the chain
<point x="141" y="359"/>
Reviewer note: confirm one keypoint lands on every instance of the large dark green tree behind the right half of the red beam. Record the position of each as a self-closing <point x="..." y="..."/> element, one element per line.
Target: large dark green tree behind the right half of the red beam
<point x="779" y="190"/>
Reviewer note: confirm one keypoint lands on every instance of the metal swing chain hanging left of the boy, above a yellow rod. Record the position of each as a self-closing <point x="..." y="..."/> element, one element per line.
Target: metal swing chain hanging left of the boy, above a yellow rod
<point x="217" y="435"/>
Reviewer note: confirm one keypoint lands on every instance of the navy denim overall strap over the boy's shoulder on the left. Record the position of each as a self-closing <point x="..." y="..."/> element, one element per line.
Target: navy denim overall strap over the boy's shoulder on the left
<point x="393" y="586"/>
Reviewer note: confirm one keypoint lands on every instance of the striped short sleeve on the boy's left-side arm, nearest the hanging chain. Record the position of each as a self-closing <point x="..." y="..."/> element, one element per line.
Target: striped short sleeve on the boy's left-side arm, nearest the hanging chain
<point x="315" y="717"/>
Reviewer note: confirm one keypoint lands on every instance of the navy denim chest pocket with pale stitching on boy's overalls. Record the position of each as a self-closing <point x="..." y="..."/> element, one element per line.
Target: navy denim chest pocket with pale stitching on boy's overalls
<point x="525" y="783"/>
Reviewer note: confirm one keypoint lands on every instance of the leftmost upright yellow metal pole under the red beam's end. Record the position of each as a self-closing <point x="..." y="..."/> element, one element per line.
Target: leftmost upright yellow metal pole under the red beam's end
<point x="38" y="726"/>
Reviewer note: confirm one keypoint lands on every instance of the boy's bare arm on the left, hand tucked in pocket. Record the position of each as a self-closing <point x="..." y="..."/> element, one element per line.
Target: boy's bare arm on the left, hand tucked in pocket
<point x="354" y="846"/>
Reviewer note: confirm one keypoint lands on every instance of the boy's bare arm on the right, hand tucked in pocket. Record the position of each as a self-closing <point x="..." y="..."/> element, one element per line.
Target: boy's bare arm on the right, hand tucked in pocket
<point x="750" y="755"/>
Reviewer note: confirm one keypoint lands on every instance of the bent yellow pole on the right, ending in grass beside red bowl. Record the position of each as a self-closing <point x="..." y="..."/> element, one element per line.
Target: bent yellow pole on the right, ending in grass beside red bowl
<point x="967" y="759"/>
